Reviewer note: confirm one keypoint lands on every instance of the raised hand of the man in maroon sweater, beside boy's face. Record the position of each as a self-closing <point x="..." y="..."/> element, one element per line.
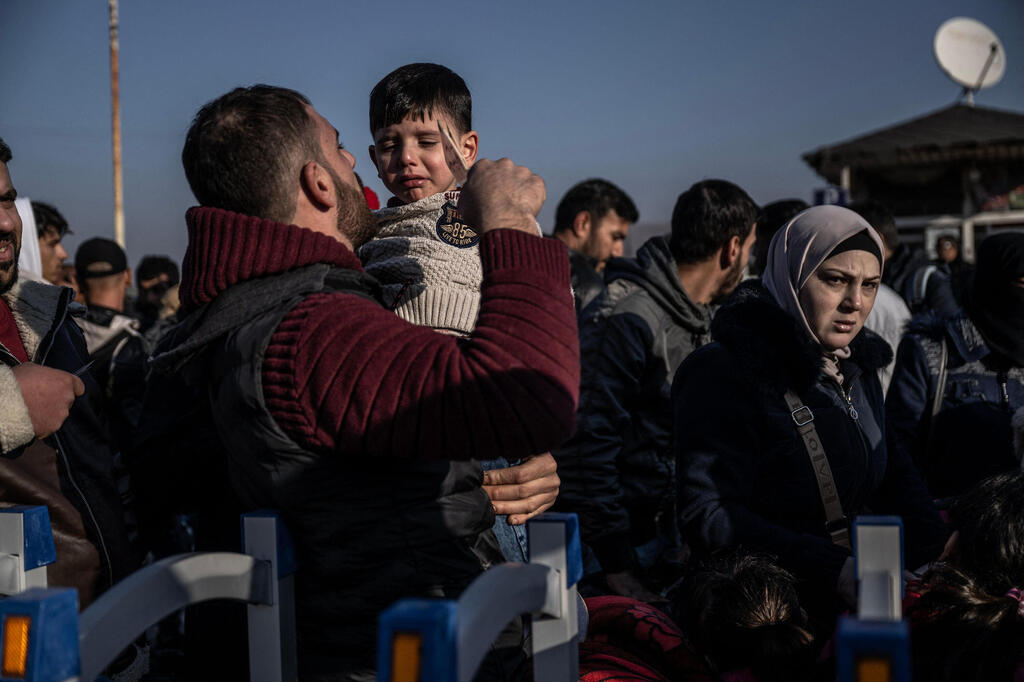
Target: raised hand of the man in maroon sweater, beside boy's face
<point x="499" y="194"/>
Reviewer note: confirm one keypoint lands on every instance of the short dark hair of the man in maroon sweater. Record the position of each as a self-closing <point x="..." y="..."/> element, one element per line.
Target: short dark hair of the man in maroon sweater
<point x="245" y="150"/>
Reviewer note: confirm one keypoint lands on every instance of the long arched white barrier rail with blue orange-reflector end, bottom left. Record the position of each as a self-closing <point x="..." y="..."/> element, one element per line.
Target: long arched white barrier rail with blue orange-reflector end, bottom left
<point x="46" y="641"/>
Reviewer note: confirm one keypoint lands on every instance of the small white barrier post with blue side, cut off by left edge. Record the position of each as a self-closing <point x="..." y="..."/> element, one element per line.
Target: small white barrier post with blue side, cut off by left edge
<point x="26" y="548"/>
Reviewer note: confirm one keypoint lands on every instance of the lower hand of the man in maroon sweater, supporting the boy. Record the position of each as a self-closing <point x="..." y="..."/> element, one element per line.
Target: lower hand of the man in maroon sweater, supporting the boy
<point x="524" y="492"/>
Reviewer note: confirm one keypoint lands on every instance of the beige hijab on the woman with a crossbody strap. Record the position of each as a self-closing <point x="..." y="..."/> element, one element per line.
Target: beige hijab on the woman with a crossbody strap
<point x="798" y="249"/>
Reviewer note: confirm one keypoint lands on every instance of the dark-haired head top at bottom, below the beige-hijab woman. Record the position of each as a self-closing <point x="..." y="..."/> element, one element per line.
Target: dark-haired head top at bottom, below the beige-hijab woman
<point x="742" y="612"/>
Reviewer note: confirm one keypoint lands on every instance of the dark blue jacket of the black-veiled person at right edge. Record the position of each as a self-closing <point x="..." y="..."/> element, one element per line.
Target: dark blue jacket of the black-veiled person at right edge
<point x="971" y="438"/>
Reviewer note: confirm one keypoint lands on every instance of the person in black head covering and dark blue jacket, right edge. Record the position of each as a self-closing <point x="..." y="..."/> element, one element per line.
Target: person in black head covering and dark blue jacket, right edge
<point x="958" y="429"/>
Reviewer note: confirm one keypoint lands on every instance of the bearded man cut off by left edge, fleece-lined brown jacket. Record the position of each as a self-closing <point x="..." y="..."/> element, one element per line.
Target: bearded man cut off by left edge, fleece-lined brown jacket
<point x="55" y="450"/>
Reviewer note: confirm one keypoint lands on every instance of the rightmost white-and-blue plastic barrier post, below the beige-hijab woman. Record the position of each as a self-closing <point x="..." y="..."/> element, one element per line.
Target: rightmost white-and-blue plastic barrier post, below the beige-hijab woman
<point x="875" y="647"/>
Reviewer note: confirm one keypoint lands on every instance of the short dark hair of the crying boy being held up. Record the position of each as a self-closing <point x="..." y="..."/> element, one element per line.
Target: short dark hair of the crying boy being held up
<point x="418" y="90"/>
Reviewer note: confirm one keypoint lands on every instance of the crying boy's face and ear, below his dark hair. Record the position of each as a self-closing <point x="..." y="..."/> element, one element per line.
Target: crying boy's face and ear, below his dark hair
<point x="410" y="157"/>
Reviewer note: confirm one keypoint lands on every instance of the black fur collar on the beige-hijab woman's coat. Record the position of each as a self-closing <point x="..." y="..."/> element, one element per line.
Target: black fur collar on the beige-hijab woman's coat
<point x="773" y="348"/>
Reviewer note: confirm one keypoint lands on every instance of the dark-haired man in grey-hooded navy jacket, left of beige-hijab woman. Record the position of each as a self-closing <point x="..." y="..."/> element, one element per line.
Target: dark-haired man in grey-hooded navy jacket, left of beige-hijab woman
<point x="618" y="472"/>
